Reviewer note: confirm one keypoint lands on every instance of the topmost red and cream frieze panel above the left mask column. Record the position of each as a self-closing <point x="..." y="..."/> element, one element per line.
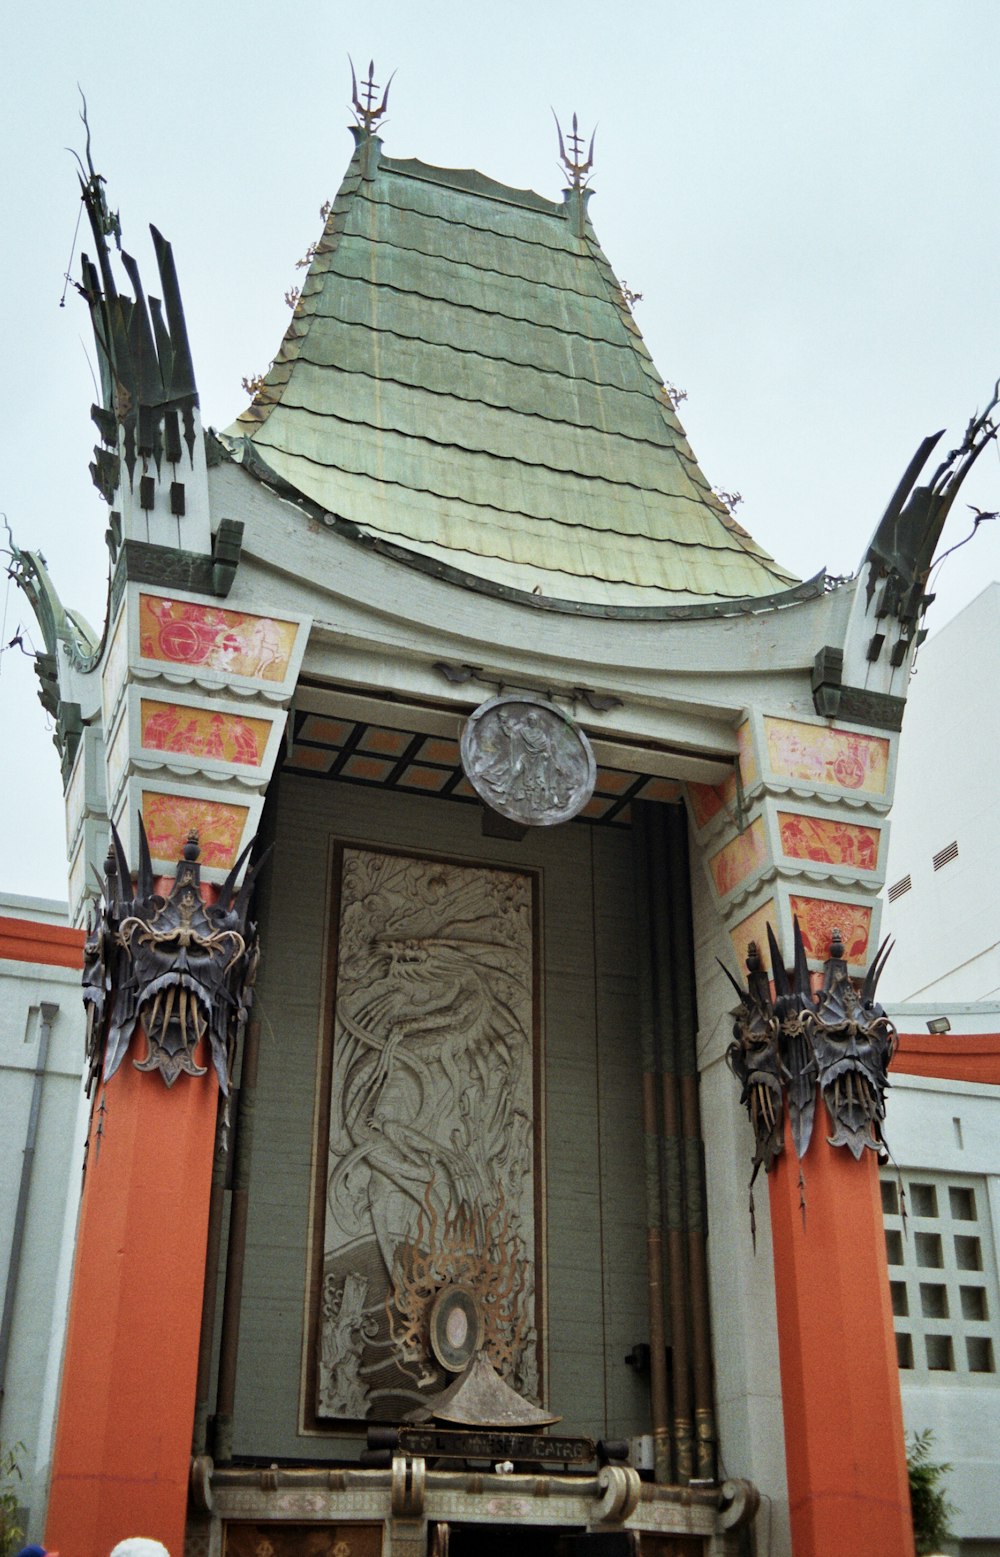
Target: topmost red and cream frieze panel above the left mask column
<point x="205" y="638"/>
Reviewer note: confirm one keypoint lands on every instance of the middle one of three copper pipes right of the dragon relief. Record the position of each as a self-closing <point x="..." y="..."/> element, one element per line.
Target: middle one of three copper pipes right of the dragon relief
<point x="672" y="1167"/>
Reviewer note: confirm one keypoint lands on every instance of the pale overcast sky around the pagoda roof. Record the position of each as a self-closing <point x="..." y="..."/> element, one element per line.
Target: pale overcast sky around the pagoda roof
<point x="805" y="194"/>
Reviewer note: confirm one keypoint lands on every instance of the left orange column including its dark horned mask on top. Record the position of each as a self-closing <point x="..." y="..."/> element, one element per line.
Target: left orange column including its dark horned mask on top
<point x="169" y="974"/>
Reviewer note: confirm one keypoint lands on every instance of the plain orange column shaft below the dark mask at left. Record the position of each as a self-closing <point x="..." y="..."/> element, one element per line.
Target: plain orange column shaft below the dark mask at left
<point x="124" y="1436"/>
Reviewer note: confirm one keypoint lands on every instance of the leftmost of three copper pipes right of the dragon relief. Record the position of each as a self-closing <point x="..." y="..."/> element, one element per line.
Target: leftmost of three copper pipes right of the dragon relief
<point x="652" y="1148"/>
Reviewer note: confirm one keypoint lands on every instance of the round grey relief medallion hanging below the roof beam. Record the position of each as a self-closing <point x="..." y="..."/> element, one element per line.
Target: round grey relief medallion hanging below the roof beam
<point x="529" y="761"/>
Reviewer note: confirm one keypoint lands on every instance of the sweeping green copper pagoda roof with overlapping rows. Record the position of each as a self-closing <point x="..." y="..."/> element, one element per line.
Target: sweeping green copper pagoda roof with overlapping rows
<point x="463" y="379"/>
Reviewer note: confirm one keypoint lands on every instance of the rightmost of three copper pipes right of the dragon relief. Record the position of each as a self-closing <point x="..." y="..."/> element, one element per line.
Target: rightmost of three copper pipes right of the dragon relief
<point x="692" y="1145"/>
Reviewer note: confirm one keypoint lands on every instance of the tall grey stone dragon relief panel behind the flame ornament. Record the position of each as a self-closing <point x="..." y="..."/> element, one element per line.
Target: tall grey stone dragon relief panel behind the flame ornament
<point x="432" y="1106"/>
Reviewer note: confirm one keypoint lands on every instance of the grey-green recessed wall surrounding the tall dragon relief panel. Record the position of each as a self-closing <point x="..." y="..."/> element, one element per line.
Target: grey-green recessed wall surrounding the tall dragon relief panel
<point x="591" y="1100"/>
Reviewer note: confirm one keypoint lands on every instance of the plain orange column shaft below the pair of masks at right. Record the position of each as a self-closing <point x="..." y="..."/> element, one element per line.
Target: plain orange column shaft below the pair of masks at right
<point x="845" y="1452"/>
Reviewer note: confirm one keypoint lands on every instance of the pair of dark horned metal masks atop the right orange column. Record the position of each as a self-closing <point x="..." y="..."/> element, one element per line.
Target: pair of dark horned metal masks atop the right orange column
<point x="792" y="1044"/>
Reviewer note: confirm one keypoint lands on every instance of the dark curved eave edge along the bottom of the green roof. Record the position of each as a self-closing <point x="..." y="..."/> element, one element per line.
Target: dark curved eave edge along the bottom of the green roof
<point x="252" y="462"/>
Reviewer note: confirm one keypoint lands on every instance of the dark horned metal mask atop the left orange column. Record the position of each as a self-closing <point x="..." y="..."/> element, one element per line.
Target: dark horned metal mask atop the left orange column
<point x="174" y="966"/>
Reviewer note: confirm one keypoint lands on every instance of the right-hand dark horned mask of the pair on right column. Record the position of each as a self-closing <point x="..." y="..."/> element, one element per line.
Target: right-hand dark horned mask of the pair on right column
<point x="854" y="1044"/>
